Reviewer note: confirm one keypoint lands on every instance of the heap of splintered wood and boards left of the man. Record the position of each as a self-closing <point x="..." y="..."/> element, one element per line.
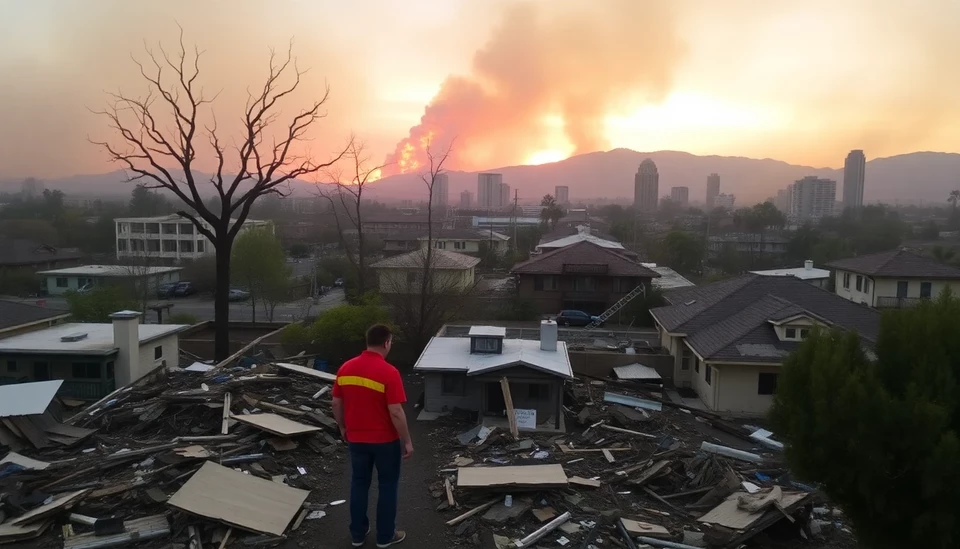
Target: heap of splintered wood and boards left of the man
<point x="194" y="456"/>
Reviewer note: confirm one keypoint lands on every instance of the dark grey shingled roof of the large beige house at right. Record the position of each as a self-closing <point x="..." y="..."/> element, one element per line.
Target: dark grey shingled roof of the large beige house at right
<point x="731" y="319"/>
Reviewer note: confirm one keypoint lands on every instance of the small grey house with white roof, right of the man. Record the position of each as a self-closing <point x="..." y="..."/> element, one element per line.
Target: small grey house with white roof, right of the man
<point x="467" y="373"/>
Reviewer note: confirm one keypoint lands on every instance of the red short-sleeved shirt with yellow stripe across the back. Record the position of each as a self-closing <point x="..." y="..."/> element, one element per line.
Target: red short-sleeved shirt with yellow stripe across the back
<point x="367" y="384"/>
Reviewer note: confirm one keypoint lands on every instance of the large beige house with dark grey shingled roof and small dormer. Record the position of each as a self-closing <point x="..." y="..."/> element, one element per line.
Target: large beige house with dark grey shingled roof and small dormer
<point x="729" y="339"/>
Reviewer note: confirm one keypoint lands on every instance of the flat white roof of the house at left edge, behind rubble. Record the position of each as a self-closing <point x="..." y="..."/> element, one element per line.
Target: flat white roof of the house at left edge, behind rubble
<point x="99" y="340"/>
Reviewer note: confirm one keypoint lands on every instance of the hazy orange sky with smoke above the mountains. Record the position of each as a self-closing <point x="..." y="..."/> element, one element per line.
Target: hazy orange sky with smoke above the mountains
<point x="514" y="81"/>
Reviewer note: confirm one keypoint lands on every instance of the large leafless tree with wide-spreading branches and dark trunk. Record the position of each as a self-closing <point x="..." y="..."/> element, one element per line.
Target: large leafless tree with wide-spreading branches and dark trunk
<point x="165" y="128"/>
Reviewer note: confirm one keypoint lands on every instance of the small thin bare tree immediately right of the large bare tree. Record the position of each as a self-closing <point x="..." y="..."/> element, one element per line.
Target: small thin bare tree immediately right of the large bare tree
<point x="346" y="203"/>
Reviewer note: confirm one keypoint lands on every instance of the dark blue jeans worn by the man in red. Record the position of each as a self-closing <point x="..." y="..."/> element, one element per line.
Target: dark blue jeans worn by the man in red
<point x="386" y="457"/>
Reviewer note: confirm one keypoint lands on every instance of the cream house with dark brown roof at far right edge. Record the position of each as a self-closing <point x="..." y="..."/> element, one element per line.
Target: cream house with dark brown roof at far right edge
<point x="894" y="279"/>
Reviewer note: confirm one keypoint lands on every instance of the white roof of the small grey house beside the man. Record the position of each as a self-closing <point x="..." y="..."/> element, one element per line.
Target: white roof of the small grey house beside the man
<point x="452" y="354"/>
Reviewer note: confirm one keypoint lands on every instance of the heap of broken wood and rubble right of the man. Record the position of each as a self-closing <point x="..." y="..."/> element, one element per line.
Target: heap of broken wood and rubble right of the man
<point x="633" y="470"/>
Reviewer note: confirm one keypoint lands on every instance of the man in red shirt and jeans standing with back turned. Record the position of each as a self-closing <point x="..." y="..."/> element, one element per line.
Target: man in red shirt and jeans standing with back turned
<point x="368" y="402"/>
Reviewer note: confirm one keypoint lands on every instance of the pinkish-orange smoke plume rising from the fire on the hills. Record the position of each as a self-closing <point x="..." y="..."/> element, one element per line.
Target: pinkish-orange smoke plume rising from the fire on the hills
<point x="546" y="65"/>
